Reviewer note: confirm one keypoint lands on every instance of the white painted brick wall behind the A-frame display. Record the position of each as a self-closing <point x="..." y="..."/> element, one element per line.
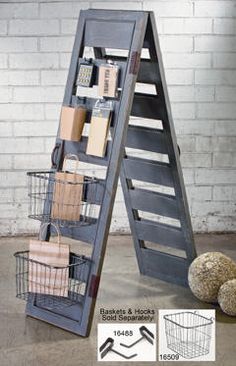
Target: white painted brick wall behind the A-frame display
<point x="198" y="40"/>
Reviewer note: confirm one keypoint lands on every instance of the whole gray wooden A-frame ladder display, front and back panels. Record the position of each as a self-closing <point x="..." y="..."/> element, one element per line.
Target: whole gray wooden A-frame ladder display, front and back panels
<point x="132" y="31"/>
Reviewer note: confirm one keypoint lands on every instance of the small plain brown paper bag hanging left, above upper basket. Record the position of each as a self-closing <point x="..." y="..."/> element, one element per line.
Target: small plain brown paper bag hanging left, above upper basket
<point x="72" y="123"/>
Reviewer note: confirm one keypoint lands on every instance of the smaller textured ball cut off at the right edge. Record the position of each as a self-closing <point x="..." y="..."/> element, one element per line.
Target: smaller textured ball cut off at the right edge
<point x="227" y="297"/>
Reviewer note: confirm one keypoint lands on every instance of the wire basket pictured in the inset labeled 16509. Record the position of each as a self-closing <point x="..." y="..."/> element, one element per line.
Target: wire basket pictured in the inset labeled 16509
<point x="188" y="333"/>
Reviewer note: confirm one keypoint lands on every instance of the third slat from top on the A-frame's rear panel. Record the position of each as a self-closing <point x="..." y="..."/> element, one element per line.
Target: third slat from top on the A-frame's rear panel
<point x="148" y="106"/>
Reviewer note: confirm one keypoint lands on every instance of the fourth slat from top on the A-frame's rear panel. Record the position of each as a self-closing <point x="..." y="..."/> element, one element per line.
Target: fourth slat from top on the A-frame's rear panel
<point x="146" y="138"/>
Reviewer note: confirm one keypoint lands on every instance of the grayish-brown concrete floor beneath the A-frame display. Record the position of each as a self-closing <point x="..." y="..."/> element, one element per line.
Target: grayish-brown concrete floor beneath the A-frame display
<point x="30" y="342"/>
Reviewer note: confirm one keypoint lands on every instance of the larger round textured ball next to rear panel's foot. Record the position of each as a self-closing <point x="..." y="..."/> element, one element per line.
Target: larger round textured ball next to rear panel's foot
<point x="208" y="272"/>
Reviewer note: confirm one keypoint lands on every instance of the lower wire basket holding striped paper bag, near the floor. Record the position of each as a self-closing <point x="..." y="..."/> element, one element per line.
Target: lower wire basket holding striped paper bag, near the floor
<point x="57" y="287"/>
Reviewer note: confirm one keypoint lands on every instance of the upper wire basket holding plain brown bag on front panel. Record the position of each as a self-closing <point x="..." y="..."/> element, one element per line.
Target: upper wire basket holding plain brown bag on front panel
<point x="65" y="203"/>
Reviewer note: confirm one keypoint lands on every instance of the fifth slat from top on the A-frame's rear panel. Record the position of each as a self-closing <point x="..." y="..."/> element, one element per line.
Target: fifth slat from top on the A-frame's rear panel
<point x="148" y="171"/>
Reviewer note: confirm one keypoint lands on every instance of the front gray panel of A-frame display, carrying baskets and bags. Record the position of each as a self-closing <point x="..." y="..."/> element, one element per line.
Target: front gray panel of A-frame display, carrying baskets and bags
<point x="97" y="29"/>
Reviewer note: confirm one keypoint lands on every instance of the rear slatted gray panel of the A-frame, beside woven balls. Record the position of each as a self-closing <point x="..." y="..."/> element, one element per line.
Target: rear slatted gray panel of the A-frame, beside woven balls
<point x="141" y="202"/>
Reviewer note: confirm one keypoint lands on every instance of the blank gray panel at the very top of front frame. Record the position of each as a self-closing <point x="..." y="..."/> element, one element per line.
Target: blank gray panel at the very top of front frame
<point x="109" y="34"/>
